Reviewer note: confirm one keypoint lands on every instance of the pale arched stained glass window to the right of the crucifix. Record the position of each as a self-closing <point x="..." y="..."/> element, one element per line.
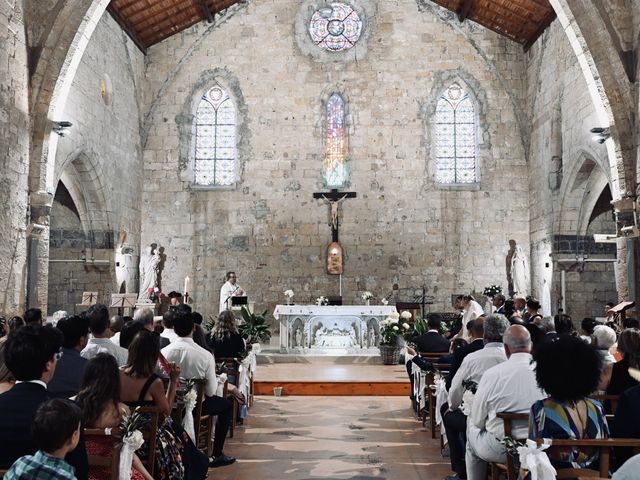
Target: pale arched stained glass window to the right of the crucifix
<point x="455" y="137"/>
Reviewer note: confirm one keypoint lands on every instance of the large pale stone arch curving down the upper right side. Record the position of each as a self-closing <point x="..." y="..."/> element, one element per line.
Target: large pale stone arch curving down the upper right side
<point x="600" y="58"/>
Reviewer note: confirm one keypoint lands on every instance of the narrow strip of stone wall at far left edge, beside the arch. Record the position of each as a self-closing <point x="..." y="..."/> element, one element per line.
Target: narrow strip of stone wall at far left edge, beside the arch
<point x="14" y="156"/>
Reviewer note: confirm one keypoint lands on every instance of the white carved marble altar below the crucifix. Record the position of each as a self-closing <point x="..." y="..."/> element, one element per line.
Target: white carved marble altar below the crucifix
<point x="330" y="330"/>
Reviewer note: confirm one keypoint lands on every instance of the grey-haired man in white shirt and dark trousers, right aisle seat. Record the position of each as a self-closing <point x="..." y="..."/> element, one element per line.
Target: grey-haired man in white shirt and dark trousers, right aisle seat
<point x="471" y="370"/>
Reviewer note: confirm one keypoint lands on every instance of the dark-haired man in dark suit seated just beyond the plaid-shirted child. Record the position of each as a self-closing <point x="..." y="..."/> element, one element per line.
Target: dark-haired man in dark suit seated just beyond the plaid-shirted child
<point x="31" y="354"/>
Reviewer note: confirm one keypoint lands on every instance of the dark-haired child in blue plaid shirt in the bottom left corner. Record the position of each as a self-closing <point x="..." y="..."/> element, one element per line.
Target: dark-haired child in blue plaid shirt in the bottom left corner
<point x="55" y="431"/>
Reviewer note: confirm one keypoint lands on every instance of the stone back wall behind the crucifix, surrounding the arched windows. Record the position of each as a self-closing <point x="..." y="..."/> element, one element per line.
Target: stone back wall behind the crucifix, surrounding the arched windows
<point x="401" y="229"/>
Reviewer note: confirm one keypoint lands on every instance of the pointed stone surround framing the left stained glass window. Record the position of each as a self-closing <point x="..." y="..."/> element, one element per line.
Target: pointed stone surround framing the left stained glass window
<point x="185" y="122"/>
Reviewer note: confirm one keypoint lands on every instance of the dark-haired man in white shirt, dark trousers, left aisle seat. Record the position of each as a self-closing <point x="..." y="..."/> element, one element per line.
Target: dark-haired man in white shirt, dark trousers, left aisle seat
<point x="197" y="363"/>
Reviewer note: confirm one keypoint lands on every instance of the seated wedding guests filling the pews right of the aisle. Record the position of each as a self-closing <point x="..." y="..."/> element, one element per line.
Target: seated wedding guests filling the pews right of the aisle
<point x="522" y="361"/>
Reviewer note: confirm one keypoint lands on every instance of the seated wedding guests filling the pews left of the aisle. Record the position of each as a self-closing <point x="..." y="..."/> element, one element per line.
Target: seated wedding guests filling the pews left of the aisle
<point x="91" y="372"/>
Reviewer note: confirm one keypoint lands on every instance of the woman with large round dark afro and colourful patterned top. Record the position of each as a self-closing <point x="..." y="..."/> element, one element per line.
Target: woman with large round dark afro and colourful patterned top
<point x="568" y="370"/>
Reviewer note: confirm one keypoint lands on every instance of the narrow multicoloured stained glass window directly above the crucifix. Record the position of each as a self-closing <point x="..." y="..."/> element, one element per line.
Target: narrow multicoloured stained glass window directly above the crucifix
<point x="335" y="144"/>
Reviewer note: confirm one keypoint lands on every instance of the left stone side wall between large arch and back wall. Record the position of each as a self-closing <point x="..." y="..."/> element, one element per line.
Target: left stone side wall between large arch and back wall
<point x="99" y="165"/>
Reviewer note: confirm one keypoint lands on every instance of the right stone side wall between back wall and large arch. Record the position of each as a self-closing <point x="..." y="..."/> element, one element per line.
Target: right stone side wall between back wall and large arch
<point x="565" y="189"/>
